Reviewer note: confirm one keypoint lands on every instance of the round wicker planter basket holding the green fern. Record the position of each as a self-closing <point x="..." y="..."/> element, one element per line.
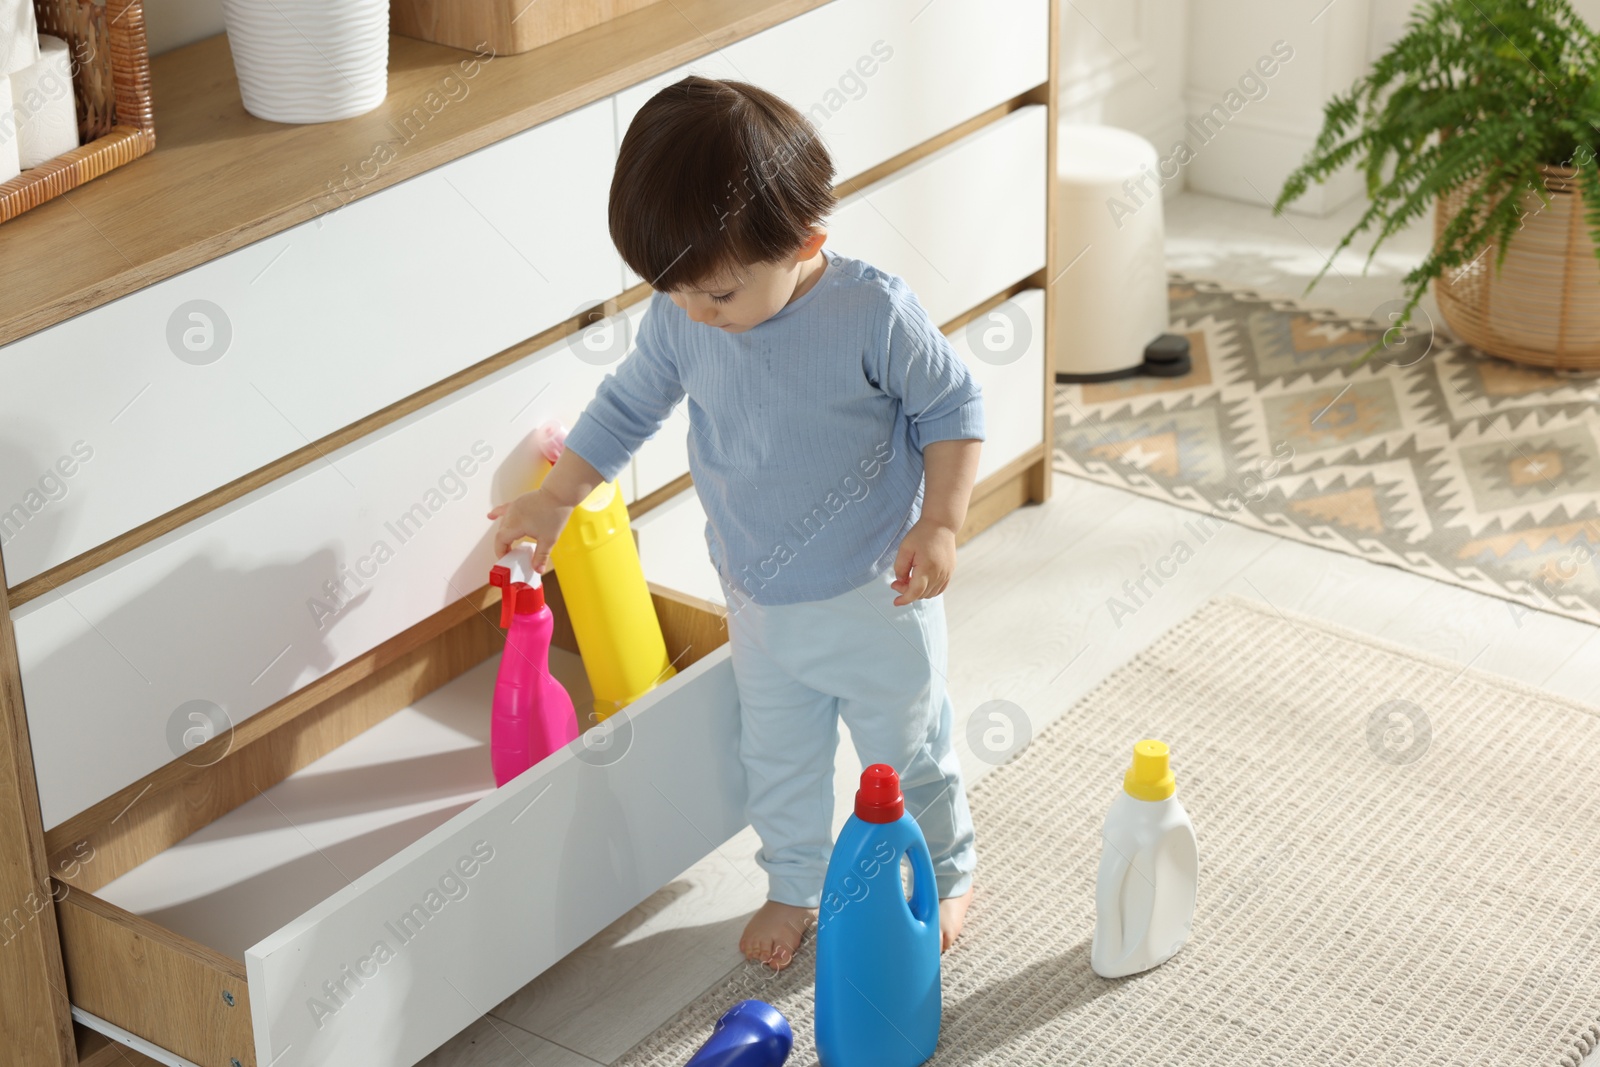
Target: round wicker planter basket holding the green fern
<point x="1543" y="306"/>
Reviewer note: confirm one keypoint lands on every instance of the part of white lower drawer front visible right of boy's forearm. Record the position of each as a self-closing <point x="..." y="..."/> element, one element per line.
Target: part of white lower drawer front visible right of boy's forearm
<point x="1006" y="353"/>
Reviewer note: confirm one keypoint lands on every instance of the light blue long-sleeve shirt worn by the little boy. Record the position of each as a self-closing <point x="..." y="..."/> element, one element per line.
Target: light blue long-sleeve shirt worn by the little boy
<point x="806" y="433"/>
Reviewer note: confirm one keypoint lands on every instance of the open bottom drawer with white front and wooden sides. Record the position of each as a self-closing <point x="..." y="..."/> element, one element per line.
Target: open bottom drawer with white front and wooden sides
<point x="386" y="897"/>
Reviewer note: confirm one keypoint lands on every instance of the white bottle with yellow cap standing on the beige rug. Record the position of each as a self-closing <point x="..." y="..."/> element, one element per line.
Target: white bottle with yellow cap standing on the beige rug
<point x="1146" y="895"/>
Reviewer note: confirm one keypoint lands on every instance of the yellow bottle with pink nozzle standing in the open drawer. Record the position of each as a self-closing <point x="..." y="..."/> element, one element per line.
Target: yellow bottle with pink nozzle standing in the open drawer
<point x="604" y="588"/>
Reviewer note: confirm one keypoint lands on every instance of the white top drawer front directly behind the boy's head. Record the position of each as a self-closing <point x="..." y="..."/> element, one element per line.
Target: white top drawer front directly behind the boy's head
<point x="879" y="78"/>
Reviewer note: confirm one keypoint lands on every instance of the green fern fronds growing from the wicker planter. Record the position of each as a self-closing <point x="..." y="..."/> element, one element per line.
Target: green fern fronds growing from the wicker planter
<point x="1478" y="95"/>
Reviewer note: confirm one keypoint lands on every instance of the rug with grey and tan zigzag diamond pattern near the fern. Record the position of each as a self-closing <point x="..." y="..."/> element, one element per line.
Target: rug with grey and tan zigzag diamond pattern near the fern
<point x="1431" y="457"/>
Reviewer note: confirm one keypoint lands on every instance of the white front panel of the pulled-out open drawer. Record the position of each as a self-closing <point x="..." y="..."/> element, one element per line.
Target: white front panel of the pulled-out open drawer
<point x="554" y="858"/>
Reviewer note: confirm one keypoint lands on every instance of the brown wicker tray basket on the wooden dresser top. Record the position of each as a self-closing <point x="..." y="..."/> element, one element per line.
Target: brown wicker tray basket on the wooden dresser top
<point x="111" y="81"/>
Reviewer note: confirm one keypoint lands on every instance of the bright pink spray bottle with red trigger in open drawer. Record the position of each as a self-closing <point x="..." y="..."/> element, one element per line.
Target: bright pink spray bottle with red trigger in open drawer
<point x="534" y="713"/>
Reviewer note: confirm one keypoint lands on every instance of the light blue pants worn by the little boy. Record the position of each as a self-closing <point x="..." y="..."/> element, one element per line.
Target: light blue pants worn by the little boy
<point x="799" y="669"/>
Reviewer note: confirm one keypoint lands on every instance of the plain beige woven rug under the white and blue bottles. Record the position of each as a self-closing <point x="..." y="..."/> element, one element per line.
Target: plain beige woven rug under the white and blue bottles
<point x="1398" y="866"/>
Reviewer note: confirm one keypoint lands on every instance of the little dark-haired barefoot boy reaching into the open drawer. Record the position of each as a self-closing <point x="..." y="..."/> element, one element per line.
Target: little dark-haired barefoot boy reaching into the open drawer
<point x="834" y="444"/>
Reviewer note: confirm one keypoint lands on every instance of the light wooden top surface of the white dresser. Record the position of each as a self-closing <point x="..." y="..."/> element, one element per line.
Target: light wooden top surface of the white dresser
<point x="222" y="178"/>
